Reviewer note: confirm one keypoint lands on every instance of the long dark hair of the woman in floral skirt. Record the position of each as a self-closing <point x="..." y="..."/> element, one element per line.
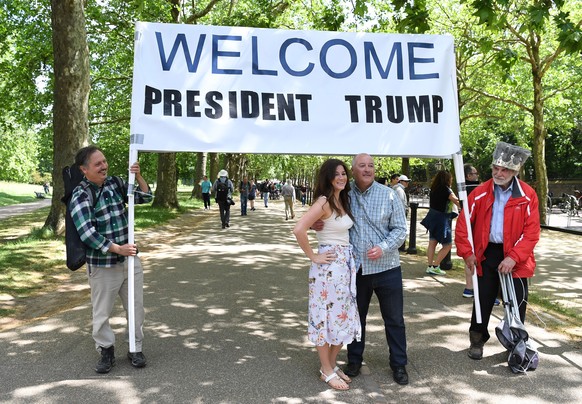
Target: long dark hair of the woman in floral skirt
<point x="324" y="187"/>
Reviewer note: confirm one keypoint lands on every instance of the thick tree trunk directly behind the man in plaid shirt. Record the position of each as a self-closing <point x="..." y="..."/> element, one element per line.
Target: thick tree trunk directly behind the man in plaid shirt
<point x="71" y="96"/>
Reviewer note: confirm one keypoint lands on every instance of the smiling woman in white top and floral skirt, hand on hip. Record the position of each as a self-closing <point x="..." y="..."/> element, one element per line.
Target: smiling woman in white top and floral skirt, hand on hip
<point x="333" y="313"/>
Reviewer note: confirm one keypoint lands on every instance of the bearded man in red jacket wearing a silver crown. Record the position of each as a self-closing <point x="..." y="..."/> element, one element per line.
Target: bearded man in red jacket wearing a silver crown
<point x="505" y="225"/>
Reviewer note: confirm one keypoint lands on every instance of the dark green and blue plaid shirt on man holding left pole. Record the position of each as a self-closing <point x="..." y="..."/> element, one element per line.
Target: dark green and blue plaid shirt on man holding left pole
<point x="104" y="224"/>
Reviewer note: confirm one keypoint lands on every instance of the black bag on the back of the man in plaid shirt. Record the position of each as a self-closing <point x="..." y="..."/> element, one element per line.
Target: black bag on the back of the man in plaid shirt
<point x="76" y="249"/>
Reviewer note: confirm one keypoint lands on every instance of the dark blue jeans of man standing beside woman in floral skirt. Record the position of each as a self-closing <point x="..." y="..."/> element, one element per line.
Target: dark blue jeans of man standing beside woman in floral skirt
<point x="388" y="288"/>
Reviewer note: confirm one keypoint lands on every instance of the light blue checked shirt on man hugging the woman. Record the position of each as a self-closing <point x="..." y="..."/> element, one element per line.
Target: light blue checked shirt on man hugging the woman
<point x="379" y="220"/>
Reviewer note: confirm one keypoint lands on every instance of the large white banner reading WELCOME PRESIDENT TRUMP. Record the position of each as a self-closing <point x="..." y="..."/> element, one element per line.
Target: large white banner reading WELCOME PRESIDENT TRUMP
<point x="250" y="90"/>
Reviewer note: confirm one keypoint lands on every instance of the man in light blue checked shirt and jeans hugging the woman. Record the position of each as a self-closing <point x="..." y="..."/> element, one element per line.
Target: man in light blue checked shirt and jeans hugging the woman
<point x="379" y="229"/>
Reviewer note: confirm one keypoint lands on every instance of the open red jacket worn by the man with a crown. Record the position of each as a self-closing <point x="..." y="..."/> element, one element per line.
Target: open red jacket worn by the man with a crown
<point x="521" y="226"/>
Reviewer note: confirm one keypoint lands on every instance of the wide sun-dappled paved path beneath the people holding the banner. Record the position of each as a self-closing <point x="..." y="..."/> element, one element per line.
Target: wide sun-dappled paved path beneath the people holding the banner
<point x="226" y="323"/>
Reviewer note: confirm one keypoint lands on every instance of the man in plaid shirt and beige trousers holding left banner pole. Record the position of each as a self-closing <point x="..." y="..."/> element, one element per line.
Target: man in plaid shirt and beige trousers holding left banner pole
<point x="99" y="213"/>
